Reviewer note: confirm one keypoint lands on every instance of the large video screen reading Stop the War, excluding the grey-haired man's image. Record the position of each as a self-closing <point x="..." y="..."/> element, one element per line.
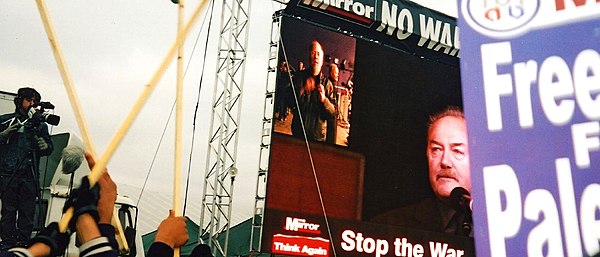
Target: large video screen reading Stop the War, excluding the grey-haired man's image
<point x="360" y="152"/>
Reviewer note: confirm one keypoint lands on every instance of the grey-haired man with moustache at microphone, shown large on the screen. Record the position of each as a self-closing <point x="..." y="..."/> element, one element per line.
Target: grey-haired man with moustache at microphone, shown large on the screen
<point x="449" y="169"/>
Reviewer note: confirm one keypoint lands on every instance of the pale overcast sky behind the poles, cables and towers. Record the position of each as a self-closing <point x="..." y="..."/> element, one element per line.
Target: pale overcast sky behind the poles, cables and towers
<point x="112" y="48"/>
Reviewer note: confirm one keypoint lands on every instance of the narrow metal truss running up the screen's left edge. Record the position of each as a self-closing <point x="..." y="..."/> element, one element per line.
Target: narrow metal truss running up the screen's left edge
<point x="267" y="127"/>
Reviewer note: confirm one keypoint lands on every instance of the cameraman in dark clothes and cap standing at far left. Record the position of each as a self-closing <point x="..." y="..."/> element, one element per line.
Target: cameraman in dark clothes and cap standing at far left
<point x="23" y="141"/>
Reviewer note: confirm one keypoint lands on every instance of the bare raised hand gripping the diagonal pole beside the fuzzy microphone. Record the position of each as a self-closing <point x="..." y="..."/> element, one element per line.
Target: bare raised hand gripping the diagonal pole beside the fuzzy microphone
<point x="108" y="193"/>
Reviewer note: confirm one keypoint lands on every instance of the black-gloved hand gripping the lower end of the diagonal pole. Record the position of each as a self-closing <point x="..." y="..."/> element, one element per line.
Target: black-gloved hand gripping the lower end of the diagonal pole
<point x="84" y="200"/>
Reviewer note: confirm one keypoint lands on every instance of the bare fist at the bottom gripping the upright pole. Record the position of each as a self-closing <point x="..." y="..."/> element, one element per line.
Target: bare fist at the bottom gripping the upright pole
<point x="172" y="231"/>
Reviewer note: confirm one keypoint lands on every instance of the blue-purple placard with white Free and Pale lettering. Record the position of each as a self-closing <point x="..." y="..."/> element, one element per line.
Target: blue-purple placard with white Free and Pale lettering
<point x="530" y="75"/>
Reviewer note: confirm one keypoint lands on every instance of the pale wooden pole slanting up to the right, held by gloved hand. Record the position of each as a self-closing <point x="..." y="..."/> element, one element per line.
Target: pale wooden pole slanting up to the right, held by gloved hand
<point x="118" y="137"/>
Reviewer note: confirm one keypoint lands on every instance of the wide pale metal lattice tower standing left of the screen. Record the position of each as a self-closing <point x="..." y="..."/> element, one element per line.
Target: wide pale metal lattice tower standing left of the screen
<point x="225" y="117"/>
